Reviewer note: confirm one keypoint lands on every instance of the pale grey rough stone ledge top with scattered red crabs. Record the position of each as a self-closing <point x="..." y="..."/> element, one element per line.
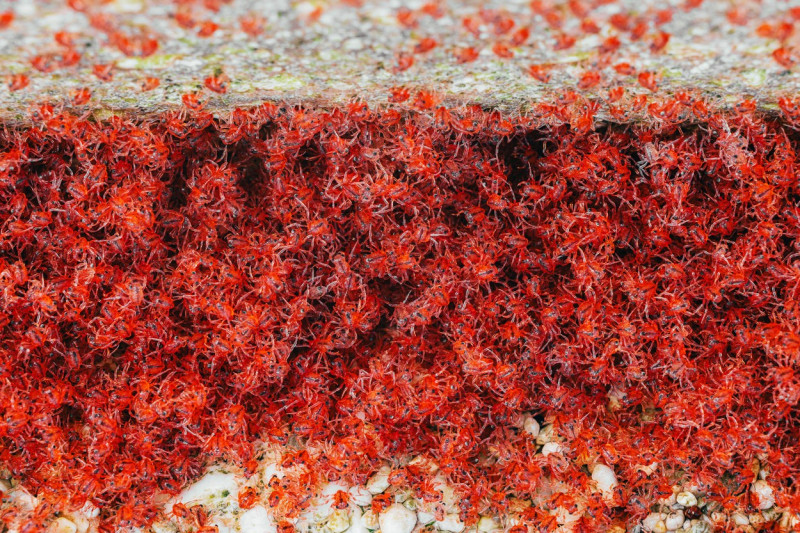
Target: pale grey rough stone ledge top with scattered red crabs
<point x="333" y="52"/>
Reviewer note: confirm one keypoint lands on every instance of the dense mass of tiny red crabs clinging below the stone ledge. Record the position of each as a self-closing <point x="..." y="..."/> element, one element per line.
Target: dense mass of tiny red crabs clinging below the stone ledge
<point x="403" y="281"/>
